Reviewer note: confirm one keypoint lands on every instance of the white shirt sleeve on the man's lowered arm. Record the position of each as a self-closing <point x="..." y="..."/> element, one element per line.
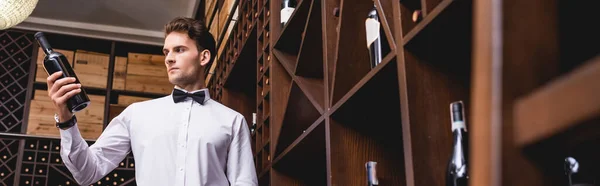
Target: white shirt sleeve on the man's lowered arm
<point x="240" y="163"/>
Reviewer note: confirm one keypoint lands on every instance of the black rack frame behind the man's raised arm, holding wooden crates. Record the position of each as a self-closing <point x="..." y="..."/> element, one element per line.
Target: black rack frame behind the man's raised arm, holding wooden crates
<point x="33" y="159"/>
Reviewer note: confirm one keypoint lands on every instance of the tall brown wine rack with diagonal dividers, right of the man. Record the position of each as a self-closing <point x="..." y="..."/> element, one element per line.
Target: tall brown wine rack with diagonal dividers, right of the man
<point x="325" y="112"/>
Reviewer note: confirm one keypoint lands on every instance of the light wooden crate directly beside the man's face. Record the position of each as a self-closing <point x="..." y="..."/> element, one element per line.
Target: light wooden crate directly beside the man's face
<point x="147" y="73"/>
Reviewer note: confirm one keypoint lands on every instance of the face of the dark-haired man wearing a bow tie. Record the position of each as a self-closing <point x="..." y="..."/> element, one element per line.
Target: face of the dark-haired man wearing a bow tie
<point x="183" y="60"/>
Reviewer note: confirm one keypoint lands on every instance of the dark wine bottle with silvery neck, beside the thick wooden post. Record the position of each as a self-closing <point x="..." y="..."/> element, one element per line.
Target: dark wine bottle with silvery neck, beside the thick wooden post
<point x="457" y="173"/>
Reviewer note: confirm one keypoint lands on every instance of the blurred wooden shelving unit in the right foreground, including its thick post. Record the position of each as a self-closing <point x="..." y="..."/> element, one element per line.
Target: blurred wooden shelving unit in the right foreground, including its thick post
<point x="534" y="97"/>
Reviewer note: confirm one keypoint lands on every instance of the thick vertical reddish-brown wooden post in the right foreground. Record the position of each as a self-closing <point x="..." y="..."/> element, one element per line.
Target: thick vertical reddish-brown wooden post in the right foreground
<point x="485" y="133"/>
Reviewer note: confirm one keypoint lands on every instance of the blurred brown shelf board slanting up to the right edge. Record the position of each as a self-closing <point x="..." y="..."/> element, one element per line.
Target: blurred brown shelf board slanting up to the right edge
<point x="560" y="106"/>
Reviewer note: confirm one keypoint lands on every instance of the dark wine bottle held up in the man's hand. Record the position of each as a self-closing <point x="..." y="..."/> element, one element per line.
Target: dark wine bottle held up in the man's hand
<point x="55" y="62"/>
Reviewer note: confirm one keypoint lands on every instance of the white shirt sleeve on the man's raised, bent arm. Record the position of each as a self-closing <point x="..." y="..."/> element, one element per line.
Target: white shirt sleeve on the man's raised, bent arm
<point x="88" y="164"/>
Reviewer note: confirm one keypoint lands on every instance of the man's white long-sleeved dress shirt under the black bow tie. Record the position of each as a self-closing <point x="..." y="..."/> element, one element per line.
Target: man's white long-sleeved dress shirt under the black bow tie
<point x="173" y="144"/>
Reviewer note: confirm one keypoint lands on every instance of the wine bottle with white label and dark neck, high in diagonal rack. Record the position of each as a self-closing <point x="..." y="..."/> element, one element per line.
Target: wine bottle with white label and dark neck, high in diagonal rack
<point x="372" y="26"/>
